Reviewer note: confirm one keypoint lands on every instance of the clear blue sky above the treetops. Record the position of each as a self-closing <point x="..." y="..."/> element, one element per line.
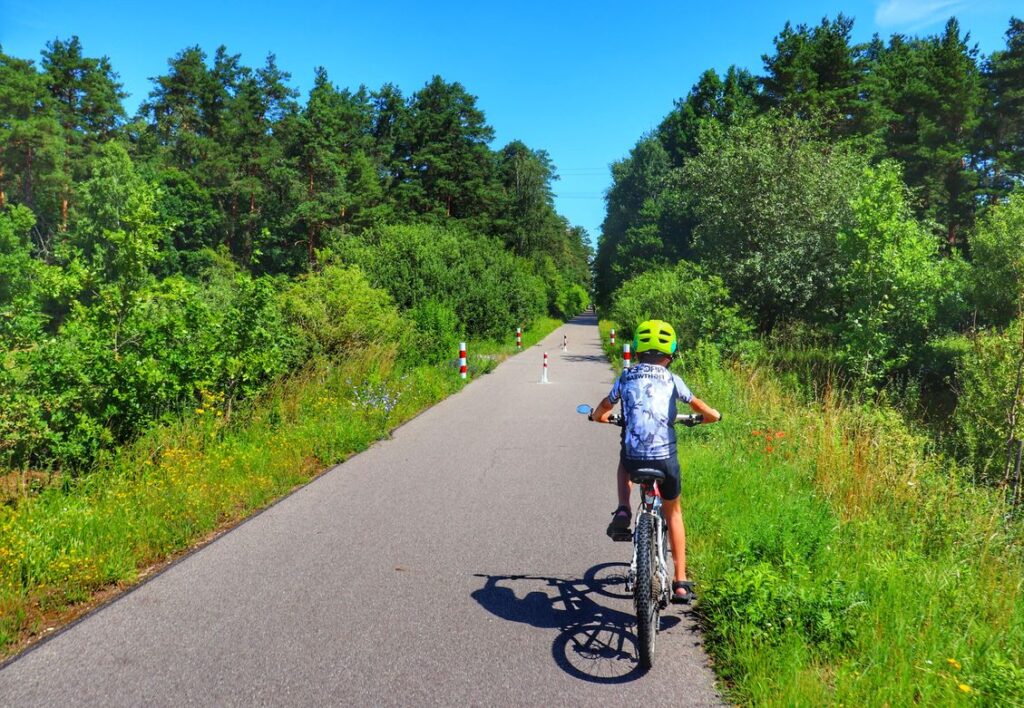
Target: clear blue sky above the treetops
<point x="583" y="80"/>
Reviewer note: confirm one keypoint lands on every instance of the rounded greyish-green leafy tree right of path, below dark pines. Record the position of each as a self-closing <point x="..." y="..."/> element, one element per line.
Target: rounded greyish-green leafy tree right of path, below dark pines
<point x="772" y="197"/>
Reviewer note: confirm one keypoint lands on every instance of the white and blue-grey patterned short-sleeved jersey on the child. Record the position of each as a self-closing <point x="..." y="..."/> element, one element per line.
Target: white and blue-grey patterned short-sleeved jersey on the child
<point x="649" y="394"/>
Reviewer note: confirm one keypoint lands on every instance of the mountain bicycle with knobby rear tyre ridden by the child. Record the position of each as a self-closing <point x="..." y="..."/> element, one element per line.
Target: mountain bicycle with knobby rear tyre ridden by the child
<point x="649" y="578"/>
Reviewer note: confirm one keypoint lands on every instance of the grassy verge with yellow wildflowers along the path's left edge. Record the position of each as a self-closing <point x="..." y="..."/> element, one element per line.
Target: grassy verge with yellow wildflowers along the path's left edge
<point x="180" y="483"/>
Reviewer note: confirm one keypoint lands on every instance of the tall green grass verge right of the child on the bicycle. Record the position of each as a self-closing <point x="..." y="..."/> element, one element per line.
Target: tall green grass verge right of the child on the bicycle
<point x="838" y="563"/>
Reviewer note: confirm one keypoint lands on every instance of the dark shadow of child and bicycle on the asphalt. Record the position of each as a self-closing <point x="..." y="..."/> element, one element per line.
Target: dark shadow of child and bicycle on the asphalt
<point x="596" y="643"/>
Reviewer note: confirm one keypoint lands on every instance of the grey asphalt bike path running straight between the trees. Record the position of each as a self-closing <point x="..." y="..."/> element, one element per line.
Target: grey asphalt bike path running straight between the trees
<point x="463" y="562"/>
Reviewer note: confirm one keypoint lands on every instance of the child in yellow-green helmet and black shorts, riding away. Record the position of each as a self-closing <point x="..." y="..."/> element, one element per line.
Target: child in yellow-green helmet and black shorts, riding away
<point x="649" y="393"/>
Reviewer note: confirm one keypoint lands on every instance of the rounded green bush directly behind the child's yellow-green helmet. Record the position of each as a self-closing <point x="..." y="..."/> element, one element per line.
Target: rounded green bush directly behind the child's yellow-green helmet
<point x="698" y="306"/>
